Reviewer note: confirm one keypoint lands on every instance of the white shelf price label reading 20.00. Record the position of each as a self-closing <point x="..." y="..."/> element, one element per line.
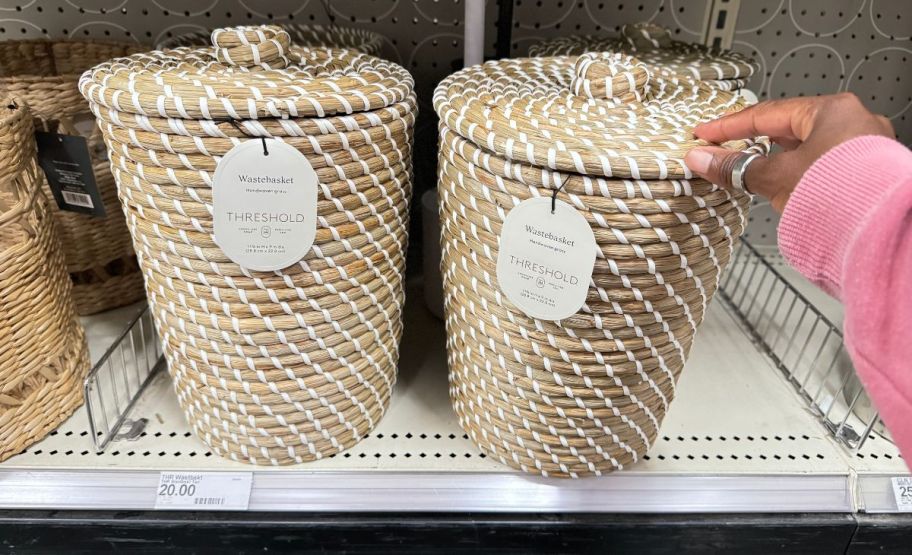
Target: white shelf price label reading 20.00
<point x="208" y="491"/>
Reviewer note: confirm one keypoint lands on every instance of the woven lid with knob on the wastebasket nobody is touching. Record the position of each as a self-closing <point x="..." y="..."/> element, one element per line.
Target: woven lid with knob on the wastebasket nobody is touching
<point x="250" y="72"/>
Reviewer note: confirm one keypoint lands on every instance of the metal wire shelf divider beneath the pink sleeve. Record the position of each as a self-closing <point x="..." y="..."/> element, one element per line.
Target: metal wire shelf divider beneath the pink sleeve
<point x="802" y="342"/>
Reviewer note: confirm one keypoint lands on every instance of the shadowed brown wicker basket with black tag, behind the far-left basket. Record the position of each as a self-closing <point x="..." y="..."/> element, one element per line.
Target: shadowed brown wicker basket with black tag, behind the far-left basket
<point x="98" y="251"/>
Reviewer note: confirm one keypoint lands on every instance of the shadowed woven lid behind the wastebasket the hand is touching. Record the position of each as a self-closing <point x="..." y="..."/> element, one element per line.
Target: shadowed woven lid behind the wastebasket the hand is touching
<point x="653" y="45"/>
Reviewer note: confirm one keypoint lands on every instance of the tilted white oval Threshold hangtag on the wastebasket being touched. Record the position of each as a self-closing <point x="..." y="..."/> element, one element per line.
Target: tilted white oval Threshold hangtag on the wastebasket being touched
<point x="545" y="260"/>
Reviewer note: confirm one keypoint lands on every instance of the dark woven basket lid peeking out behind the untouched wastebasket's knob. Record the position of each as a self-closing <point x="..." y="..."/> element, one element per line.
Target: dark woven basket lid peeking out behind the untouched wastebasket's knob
<point x="362" y="40"/>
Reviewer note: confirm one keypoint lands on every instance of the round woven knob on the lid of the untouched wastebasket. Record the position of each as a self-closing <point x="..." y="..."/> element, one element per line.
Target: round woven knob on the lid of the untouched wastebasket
<point x="264" y="46"/>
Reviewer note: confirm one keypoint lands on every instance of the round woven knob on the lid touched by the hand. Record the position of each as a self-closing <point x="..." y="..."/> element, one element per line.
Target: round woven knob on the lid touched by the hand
<point x="610" y="75"/>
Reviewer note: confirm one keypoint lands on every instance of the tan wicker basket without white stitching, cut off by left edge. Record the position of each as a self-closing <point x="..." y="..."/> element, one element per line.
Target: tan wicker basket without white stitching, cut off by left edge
<point x="43" y="353"/>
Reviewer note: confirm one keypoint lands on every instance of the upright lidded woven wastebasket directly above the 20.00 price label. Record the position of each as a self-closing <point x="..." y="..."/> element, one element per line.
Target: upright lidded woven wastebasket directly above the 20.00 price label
<point x="270" y="367"/>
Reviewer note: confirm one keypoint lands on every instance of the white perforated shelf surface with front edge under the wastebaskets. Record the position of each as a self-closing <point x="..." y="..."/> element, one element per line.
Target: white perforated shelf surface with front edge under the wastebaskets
<point x="737" y="439"/>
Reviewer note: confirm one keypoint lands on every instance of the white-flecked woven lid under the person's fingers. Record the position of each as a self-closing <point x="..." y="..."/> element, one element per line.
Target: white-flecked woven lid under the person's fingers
<point x="597" y="114"/>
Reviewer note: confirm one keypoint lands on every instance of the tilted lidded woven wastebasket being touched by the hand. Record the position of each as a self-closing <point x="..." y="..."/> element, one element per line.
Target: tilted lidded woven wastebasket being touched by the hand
<point x="585" y="395"/>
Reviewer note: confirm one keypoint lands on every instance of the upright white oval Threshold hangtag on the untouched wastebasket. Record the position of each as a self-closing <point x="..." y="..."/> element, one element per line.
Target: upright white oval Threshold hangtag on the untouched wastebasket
<point x="264" y="206"/>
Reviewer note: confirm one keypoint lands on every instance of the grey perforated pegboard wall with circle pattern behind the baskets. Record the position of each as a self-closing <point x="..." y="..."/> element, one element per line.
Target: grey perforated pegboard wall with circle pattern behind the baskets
<point x="804" y="47"/>
